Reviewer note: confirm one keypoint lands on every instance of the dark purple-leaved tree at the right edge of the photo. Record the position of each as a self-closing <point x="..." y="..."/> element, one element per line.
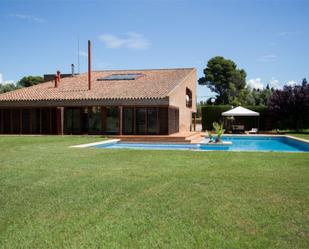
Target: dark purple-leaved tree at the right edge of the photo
<point x="292" y="104"/>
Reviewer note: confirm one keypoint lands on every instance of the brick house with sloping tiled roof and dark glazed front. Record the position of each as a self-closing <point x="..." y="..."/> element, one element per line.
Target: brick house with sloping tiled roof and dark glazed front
<point x="121" y="102"/>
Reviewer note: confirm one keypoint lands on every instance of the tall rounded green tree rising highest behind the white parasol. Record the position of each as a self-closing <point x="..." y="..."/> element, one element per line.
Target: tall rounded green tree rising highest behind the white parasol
<point x="223" y="78"/>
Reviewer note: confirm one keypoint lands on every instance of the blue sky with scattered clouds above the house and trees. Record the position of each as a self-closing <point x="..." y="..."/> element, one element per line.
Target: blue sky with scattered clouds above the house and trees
<point x="267" y="38"/>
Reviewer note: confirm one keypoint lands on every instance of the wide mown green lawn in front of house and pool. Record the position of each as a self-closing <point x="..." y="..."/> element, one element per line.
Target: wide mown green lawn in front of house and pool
<point x="52" y="196"/>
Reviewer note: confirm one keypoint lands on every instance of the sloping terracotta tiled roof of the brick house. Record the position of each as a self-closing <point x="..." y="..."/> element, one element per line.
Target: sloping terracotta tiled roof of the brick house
<point x="155" y="83"/>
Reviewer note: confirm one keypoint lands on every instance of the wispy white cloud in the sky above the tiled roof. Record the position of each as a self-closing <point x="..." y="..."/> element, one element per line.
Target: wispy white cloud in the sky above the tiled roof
<point x="133" y="40"/>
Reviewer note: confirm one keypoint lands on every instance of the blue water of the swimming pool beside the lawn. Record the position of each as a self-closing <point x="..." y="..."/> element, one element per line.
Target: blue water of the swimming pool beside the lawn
<point x="239" y="143"/>
